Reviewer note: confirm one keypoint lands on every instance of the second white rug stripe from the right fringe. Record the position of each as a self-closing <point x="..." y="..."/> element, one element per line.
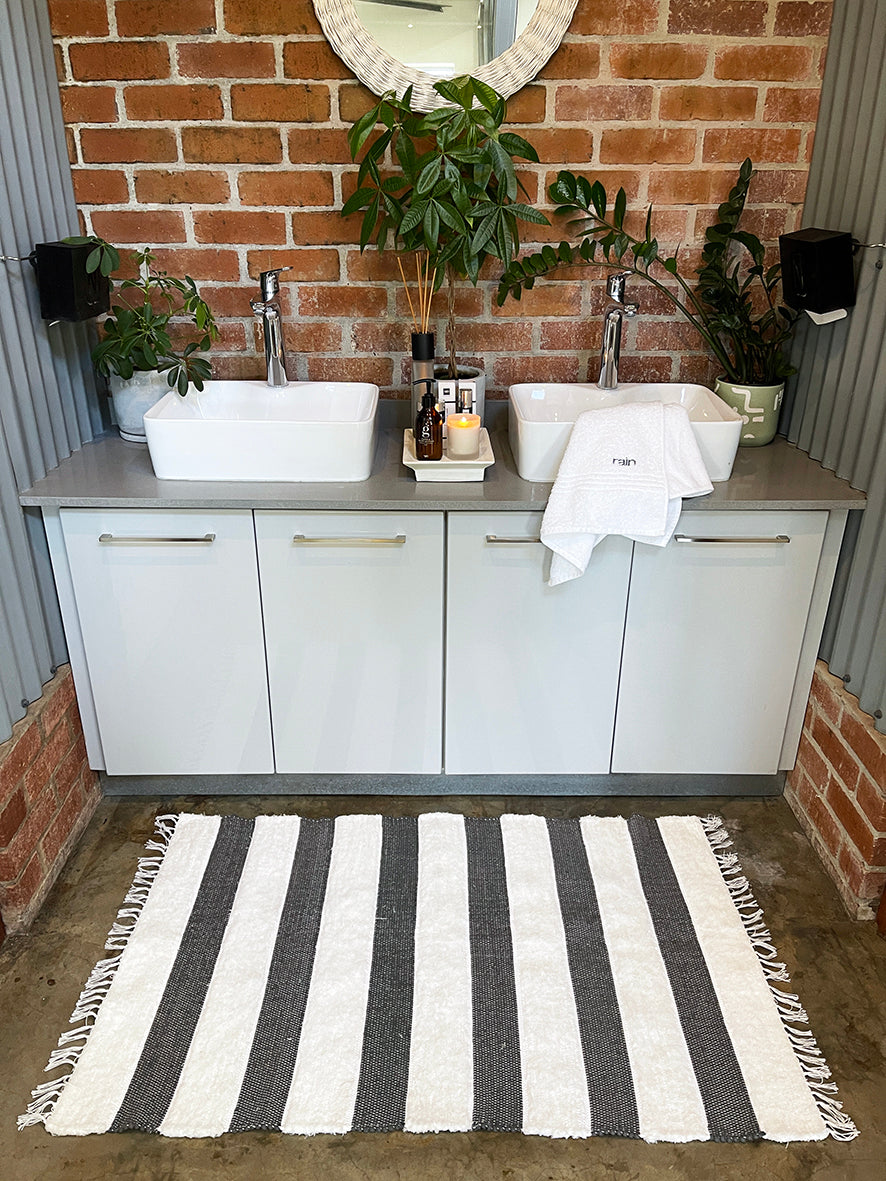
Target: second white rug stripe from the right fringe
<point x="669" y="1104"/>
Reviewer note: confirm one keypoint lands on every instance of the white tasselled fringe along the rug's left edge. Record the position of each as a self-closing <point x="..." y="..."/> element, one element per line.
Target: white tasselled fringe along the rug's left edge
<point x="74" y="1042"/>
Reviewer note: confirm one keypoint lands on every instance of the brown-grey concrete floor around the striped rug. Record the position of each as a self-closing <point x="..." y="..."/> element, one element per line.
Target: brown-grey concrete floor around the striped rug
<point x="838" y="968"/>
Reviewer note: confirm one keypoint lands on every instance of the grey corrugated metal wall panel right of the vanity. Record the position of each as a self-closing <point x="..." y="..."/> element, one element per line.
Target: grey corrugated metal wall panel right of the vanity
<point x="838" y="401"/>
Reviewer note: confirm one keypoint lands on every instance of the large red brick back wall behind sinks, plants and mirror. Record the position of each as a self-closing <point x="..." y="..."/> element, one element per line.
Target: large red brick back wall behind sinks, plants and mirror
<point x="216" y="131"/>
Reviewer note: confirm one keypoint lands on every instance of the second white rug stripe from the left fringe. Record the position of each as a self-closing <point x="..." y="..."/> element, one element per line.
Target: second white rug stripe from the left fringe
<point x="224" y="1038"/>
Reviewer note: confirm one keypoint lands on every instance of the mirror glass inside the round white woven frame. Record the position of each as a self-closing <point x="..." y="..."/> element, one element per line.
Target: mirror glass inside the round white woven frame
<point x="447" y="38"/>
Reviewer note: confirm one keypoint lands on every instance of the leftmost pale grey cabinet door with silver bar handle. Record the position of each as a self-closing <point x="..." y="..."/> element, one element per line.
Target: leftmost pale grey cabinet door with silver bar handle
<point x="168" y="603"/>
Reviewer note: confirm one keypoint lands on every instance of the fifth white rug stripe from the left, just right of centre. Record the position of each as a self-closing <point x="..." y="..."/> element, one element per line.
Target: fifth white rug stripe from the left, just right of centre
<point x="552" y="1065"/>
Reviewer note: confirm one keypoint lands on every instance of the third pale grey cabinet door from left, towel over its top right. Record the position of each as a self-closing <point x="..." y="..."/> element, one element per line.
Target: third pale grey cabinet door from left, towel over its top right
<point x="532" y="670"/>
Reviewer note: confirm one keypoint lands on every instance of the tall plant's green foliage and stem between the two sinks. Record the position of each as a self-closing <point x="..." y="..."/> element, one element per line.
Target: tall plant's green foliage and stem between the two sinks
<point x="452" y="198"/>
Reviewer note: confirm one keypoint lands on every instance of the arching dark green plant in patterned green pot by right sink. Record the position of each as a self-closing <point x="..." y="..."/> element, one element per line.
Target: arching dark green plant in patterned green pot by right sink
<point x="734" y="305"/>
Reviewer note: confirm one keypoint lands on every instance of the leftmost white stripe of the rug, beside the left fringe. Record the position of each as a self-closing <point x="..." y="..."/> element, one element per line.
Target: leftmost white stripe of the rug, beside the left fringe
<point x="92" y="1099"/>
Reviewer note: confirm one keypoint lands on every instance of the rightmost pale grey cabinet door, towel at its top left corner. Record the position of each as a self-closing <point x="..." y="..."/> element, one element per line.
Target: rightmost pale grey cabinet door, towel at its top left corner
<point x="715" y="625"/>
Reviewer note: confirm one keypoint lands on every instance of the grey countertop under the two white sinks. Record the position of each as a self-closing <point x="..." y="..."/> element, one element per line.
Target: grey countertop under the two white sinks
<point x="109" y="473"/>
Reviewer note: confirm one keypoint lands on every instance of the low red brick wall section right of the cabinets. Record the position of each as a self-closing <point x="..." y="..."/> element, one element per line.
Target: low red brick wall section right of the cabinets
<point x="838" y="792"/>
